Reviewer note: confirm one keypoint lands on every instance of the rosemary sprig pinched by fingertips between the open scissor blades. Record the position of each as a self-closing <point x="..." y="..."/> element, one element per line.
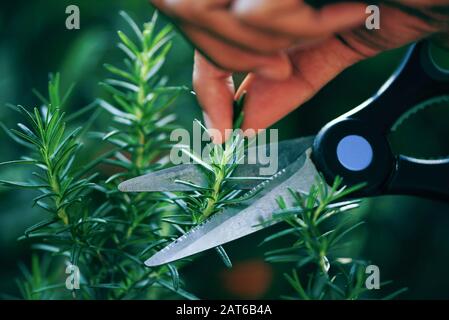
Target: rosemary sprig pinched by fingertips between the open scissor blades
<point x="221" y="189"/>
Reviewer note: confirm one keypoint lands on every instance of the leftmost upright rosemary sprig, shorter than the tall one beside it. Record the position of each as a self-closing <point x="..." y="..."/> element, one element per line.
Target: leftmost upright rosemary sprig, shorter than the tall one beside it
<point x="54" y="151"/>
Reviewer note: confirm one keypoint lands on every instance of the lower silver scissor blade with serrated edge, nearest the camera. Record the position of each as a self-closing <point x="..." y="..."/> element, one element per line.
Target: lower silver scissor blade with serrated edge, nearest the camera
<point x="237" y="222"/>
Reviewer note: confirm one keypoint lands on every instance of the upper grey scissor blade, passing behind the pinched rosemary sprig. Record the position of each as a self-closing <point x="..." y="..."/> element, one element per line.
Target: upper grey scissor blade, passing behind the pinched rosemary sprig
<point x="167" y="179"/>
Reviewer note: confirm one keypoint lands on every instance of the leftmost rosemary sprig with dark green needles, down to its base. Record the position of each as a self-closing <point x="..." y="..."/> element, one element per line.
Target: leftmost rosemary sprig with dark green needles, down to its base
<point x="63" y="194"/>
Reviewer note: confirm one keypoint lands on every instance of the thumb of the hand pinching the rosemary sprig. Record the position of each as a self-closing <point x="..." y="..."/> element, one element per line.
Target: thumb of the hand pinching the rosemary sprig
<point x="268" y="101"/>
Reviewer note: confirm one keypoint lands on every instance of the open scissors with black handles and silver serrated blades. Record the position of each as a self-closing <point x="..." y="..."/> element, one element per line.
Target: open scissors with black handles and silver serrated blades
<point x="354" y="147"/>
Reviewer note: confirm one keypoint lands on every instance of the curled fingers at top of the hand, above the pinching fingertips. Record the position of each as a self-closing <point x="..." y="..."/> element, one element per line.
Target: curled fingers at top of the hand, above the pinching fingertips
<point x="217" y="30"/>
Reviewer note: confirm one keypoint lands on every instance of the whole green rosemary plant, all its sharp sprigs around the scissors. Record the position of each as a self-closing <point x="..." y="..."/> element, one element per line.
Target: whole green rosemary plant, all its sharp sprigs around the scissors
<point x="107" y="234"/>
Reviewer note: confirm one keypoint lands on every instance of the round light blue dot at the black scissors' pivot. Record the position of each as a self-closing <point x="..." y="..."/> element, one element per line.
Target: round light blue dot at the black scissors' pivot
<point x="354" y="153"/>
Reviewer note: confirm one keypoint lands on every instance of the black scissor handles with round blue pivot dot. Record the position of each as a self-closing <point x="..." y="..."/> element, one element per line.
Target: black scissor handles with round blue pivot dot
<point x="355" y="147"/>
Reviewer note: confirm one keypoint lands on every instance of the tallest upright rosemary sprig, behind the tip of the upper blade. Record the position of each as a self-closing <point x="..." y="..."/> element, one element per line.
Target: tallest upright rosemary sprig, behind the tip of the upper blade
<point x="139" y="140"/>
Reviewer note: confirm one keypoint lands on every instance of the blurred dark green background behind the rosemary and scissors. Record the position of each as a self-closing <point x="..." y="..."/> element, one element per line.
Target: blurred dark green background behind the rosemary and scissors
<point x="407" y="237"/>
